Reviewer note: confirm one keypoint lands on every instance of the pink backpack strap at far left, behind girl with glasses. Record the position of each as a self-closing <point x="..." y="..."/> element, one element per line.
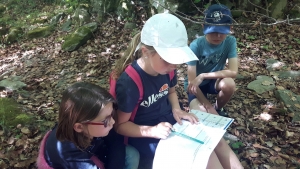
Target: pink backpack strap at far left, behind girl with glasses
<point x="41" y="161"/>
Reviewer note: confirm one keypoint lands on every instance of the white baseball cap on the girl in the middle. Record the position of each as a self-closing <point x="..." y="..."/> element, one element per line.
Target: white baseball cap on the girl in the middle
<point x="167" y="34"/>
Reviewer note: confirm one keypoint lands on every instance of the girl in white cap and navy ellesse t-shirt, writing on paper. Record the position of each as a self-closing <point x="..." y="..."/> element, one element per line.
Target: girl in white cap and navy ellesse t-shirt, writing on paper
<point x="153" y="54"/>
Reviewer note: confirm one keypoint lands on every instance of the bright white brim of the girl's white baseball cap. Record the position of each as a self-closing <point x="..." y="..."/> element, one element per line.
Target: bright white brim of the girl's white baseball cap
<point x="177" y="55"/>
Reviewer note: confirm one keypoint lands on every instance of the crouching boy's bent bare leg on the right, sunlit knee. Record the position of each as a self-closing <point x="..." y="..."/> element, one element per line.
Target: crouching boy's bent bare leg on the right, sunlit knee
<point x="226" y="87"/>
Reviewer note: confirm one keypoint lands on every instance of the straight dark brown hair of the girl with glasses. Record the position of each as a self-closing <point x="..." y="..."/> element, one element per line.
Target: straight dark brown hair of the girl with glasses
<point x="80" y="102"/>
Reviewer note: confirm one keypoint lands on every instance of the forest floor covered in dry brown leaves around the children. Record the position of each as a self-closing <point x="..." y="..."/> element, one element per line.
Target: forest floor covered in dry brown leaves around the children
<point x="264" y="143"/>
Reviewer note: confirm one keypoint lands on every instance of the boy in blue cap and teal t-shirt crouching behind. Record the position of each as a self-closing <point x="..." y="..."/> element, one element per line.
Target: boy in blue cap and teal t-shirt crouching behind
<point x="208" y="75"/>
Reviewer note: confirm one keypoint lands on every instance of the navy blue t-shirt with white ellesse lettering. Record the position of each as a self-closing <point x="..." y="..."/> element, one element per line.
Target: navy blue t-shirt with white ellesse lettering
<point x="155" y="101"/>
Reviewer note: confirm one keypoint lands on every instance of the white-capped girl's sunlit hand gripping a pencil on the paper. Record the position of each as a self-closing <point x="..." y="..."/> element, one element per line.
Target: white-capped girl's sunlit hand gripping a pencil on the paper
<point x="161" y="130"/>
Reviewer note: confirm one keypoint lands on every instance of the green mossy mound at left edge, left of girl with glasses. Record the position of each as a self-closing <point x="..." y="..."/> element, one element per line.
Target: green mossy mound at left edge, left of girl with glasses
<point x="11" y="114"/>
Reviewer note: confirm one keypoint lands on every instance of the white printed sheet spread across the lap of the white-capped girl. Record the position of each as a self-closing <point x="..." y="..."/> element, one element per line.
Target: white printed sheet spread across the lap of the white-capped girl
<point x="178" y="152"/>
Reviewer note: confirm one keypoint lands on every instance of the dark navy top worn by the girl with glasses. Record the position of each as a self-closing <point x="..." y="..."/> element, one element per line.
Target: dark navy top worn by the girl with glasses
<point x="64" y="154"/>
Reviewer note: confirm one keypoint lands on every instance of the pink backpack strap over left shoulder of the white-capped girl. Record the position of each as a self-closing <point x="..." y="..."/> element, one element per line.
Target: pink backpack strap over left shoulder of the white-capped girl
<point x="133" y="74"/>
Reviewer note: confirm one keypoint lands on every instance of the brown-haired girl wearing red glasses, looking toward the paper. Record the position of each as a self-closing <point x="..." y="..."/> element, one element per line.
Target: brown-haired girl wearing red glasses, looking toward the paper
<point x="83" y="137"/>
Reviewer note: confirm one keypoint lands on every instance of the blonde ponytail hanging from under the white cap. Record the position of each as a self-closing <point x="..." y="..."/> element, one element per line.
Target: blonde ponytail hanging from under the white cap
<point x="129" y="55"/>
